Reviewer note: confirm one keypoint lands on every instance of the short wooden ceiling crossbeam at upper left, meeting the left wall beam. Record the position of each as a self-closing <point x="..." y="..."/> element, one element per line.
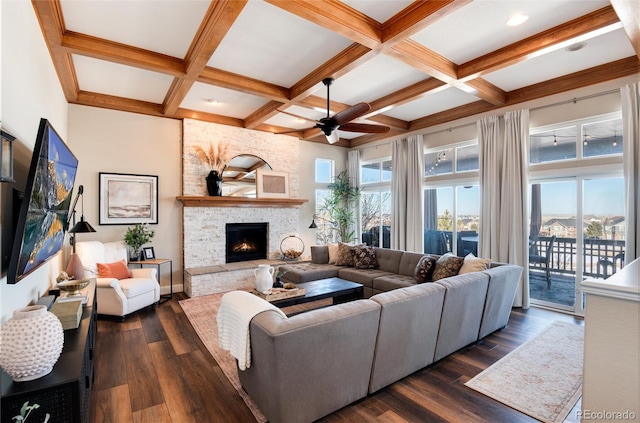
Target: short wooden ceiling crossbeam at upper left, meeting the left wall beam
<point x="98" y="48"/>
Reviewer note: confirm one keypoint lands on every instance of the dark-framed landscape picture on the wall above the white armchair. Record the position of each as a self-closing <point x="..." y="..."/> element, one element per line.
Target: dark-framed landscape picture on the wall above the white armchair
<point x="127" y="199"/>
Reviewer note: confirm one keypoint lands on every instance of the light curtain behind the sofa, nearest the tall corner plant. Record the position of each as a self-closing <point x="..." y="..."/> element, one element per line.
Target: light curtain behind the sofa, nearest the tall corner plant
<point x="407" y="162"/>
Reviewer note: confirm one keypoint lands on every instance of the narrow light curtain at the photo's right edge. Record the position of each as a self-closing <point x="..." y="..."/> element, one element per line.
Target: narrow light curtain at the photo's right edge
<point x="631" y="151"/>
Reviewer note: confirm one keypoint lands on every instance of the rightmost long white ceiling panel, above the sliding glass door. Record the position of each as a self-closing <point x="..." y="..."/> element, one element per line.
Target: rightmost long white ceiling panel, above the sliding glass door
<point x="599" y="50"/>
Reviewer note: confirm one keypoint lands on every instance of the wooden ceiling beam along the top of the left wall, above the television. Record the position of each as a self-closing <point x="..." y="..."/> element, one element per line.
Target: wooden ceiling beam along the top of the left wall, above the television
<point x="49" y="14"/>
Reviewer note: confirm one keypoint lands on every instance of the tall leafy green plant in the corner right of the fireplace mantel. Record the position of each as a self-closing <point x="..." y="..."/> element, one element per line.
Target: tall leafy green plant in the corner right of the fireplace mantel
<point x="341" y="204"/>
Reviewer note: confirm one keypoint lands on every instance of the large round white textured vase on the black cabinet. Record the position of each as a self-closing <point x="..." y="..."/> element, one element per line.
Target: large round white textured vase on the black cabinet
<point x="30" y="343"/>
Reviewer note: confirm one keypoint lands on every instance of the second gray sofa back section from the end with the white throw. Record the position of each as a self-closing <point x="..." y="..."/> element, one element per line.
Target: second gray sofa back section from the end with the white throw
<point x="407" y="333"/>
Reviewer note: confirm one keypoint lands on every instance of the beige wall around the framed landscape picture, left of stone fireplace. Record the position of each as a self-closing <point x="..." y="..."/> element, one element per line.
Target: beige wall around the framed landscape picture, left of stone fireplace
<point x="120" y="142"/>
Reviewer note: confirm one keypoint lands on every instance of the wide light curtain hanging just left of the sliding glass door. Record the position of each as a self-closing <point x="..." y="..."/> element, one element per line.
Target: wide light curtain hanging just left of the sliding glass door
<point x="504" y="186"/>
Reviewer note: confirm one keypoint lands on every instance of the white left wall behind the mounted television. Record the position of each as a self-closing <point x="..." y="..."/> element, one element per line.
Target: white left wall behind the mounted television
<point x="30" y="90"/>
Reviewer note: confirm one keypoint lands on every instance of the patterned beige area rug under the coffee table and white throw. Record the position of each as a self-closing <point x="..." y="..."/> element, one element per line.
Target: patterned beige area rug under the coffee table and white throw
<point x="202" y="312"/>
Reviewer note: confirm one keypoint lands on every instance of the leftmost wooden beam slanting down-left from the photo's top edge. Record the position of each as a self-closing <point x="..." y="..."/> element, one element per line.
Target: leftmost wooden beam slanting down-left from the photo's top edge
<point x="215" y="25"/>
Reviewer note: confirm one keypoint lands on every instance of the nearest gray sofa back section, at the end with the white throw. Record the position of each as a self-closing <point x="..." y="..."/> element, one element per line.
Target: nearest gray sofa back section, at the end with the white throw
<point x="311" y="364"/>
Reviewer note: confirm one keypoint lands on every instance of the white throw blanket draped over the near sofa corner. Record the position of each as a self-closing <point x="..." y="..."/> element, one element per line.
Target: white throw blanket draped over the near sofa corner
<point x="237" y="308"/>
